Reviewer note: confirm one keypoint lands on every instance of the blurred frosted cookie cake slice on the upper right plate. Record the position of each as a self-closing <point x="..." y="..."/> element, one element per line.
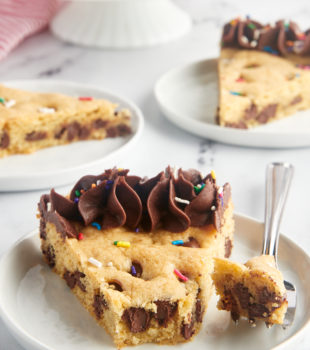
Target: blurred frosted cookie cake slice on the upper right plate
<point x="264" y="72"/>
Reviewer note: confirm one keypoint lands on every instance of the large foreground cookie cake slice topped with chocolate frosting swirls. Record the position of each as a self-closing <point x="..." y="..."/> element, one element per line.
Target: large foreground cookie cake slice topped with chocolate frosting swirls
<point x="138" y="253"/>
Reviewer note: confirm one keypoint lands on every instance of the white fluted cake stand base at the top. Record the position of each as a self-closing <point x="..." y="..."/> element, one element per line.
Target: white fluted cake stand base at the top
<point x="120" y="23"/>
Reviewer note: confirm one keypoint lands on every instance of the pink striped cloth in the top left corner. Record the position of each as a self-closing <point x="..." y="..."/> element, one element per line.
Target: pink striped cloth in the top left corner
<point x="22" y="18"/>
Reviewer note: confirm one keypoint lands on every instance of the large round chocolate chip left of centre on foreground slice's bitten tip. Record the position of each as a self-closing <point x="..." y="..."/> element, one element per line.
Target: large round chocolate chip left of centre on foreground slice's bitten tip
<point x="137" y="319"/>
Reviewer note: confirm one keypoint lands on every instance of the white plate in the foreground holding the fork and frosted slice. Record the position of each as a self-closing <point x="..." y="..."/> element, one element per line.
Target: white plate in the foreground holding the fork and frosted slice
<point x="42" y="313"/>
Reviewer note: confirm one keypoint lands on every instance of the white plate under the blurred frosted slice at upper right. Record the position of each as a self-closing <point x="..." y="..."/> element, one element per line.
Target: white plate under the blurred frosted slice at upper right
<point x="188" y="96"/>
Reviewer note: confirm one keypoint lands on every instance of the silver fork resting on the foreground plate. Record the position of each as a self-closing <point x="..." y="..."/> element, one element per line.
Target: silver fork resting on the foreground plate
<point x="278" y="180"/>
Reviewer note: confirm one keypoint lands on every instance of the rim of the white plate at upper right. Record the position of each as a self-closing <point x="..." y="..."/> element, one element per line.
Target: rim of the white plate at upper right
<point x="200" y="127"/>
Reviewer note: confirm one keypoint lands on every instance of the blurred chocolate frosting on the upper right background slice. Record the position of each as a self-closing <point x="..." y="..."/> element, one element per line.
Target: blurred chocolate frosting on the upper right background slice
<point x="281" y="39"/>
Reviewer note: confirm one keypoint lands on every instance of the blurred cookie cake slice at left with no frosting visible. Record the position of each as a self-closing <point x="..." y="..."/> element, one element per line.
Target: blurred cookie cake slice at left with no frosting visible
<point x="30" y="121"/>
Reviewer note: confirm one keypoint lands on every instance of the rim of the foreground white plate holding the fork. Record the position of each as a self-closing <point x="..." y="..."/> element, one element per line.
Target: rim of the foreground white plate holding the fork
<point x="19" y="332"/>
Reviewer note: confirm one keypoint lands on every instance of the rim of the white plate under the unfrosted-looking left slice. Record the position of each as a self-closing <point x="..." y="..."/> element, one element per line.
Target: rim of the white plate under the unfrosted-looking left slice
<point x="118" y="97"/>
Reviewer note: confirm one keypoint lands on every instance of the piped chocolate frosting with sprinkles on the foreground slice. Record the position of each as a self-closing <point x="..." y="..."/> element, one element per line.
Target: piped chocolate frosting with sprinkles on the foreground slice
<point x="173" y="201"/>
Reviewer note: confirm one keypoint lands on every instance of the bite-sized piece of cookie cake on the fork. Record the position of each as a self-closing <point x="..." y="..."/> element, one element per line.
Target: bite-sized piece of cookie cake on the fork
<point x="254" y="290"/>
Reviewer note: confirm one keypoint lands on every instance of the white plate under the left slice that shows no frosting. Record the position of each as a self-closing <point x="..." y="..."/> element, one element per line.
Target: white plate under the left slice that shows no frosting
<point x="55" y="166"/>
